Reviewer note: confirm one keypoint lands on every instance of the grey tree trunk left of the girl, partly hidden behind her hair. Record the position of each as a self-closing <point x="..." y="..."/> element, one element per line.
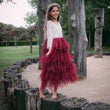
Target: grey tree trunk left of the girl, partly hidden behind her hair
<point x="42" y="7"/>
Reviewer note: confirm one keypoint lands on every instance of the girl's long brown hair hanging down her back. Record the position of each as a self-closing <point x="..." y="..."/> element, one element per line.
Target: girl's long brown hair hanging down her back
<point x="49" y="17"/>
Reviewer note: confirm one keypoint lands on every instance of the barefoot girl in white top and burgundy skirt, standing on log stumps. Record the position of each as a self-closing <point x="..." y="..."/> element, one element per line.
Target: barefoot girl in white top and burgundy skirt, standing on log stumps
<point x="57" y="66"/>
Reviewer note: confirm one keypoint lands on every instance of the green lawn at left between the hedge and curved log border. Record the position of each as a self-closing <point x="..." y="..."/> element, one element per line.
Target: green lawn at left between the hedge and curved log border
<point x="11" y="54"/>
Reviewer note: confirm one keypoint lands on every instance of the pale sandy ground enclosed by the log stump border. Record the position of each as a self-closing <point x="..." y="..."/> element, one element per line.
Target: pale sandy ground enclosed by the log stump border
<point x="95" y="88"/>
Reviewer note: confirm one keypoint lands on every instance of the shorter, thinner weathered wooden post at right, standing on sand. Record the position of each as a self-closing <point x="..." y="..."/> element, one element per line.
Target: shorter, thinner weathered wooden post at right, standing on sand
<point x="99" y="24"/>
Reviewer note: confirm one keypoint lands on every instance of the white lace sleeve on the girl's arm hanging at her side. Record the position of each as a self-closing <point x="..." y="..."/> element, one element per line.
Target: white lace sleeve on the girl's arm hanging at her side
<point x="49" y="34"/>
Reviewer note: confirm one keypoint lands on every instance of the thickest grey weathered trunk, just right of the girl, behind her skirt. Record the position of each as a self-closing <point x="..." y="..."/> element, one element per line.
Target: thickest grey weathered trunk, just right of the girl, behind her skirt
<point x="77" y="34"/>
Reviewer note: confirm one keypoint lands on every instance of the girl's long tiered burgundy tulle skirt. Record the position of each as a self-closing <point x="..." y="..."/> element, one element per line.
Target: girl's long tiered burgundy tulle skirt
<point x="57" y="67"/>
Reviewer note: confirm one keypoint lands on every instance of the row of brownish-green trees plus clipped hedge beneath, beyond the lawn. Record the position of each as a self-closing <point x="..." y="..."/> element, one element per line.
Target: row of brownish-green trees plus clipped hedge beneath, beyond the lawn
<point x="13" y="36"/>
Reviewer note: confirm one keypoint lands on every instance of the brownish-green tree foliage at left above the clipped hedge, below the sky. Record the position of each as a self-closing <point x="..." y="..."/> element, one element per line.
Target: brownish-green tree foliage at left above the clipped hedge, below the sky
<point x="9" y="32"/>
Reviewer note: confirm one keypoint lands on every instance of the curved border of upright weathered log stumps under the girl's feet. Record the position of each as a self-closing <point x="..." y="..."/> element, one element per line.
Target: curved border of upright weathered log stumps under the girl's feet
<point x="21" y="97"/>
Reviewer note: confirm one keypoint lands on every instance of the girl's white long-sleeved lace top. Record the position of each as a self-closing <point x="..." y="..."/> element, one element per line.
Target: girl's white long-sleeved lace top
<point x="53" y="31"/>
